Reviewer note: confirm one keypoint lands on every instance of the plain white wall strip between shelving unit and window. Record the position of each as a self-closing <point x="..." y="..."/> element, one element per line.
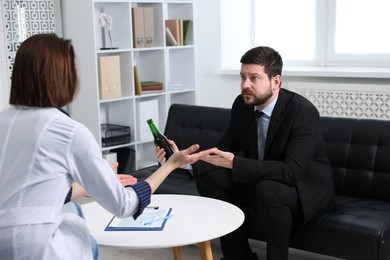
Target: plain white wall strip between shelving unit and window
<point x="212" y="89"/>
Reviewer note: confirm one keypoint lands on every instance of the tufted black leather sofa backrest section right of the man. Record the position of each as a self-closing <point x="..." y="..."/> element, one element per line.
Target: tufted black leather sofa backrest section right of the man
<point x="358" y="150"/>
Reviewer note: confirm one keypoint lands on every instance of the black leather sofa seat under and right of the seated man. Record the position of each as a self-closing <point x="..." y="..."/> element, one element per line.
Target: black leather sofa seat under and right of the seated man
<point x="355" y="229"/>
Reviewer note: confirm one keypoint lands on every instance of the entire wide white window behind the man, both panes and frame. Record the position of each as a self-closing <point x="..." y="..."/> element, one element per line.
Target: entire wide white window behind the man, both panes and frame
<point x="309" y="32"/>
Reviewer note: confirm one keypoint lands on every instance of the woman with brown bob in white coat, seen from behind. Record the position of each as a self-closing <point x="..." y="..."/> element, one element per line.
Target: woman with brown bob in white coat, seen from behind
<point x="43" y="151"/>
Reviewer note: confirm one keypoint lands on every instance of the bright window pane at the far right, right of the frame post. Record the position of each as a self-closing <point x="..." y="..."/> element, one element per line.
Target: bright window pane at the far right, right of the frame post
<point x="359" y="31"/>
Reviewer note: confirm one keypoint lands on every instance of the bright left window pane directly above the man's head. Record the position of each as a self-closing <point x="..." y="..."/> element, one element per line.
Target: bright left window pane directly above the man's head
<point x="292" y="33"/>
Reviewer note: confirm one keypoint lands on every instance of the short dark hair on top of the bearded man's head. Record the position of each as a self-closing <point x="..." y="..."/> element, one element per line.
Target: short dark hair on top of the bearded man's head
<point x="264" y="56"/>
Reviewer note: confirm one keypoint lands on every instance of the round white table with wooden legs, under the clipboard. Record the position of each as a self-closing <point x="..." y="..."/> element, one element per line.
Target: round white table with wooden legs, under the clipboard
<point x="196" y="220"/>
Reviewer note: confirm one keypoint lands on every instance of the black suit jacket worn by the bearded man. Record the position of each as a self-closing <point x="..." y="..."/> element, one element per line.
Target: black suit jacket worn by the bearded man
<point x="294" y="150"/>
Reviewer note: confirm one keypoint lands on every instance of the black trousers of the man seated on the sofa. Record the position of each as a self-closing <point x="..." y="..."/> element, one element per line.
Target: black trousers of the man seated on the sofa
<point x="277" y="206"/>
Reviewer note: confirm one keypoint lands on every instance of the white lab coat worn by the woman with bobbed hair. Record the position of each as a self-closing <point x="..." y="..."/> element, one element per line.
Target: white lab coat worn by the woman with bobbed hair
<point x="42" y="151"/>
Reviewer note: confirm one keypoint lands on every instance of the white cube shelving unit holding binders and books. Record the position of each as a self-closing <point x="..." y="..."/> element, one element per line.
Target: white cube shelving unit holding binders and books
<point x="158" y="63"/>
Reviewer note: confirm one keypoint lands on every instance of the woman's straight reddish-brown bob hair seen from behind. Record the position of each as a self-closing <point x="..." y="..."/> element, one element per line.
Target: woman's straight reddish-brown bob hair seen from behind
<point x="44" y="73"/>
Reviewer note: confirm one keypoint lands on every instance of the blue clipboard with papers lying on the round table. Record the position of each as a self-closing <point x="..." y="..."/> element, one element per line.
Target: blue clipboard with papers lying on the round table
<point x="157" y="219"/>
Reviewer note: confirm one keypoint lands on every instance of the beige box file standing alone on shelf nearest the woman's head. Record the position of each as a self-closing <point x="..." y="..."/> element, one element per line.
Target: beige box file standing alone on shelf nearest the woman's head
<point x="109" y="77"/>
